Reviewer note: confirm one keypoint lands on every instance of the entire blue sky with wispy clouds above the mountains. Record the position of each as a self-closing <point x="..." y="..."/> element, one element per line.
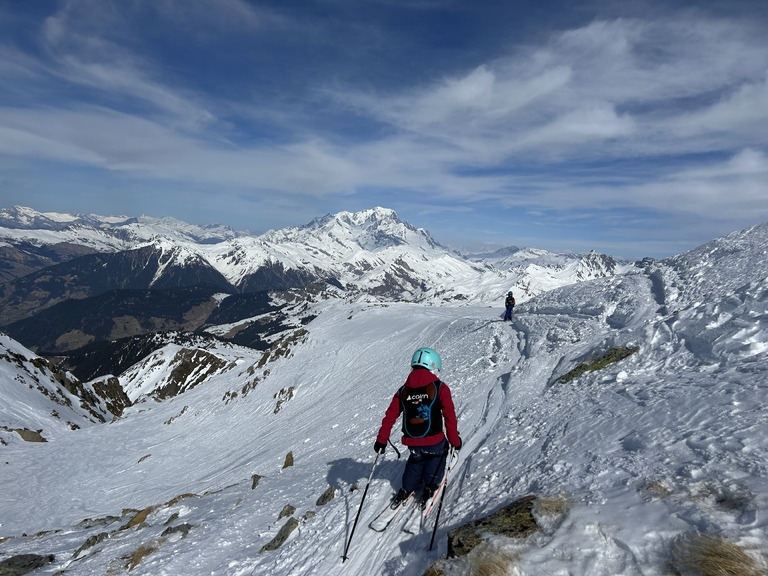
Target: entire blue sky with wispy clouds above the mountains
<point x="635" y="129"/>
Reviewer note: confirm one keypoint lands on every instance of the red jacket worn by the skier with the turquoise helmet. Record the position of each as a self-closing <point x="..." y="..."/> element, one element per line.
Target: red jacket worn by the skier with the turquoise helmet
<point x="417" y="379"/>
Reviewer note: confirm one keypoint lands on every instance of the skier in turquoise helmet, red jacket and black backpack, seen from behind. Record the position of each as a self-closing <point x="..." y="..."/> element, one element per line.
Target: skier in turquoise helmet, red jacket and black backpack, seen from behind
<point x="425" y="402"/>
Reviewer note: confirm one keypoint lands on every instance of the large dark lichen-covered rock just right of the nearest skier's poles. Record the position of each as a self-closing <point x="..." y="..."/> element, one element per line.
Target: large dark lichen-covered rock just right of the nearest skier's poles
<point x="515" y="520"/>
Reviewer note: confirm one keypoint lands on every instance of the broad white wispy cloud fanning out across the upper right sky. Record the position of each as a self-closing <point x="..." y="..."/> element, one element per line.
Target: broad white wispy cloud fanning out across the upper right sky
<point x="632" y="81"/>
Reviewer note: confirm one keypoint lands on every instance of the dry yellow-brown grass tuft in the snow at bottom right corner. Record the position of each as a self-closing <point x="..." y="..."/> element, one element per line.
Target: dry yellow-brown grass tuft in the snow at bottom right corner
<point x="712" y="555"/>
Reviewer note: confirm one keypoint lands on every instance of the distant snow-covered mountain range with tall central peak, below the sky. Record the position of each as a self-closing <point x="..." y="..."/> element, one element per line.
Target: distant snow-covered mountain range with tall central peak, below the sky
<point x="371" y="252"/>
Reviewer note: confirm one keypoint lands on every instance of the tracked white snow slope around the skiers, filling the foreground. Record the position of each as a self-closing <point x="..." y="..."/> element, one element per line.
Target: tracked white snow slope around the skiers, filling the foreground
<point x="671" y="439"/>
